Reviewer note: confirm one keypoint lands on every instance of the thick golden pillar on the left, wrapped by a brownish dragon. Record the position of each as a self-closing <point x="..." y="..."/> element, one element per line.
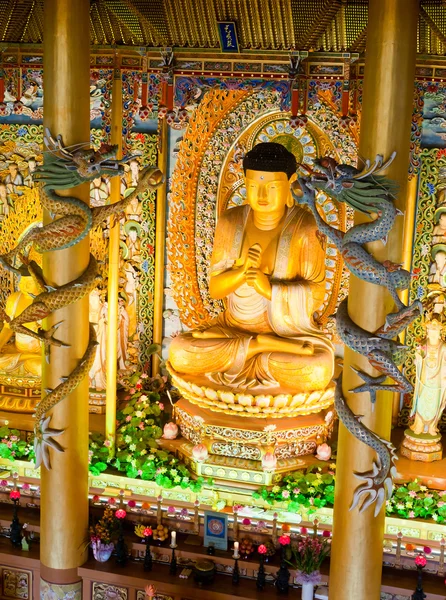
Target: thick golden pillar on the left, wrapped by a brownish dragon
<point x="64" y="488"/>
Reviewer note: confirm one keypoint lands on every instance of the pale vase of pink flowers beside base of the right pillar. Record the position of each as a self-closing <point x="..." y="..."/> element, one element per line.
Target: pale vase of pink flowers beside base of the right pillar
<point x="307" y="556"/>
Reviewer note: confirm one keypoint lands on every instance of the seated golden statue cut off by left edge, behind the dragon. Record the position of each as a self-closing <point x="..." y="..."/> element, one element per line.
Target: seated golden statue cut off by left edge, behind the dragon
<point x="22" y="357"/>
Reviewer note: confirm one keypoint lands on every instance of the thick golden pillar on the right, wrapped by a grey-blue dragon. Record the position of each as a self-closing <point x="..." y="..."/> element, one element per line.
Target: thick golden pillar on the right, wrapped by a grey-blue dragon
<point x="356" y="561"/>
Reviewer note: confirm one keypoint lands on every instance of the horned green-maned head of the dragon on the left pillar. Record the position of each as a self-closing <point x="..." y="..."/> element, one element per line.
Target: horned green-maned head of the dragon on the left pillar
<point x="64" y="168"/>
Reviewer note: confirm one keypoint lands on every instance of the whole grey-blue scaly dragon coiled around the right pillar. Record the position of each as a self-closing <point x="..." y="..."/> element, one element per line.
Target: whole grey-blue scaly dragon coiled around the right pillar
<point x="371" y="194"/>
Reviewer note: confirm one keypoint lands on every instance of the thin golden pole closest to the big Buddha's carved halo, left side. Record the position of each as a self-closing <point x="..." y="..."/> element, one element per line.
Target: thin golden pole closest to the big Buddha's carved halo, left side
<point x="160" y="242"/>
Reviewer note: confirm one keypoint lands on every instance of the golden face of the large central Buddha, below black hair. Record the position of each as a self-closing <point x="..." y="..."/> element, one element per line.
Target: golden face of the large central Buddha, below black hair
<point x="267" y="192"/>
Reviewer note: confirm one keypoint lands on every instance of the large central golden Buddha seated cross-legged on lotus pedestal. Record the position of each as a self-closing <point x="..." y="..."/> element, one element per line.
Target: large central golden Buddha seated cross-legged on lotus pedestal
<point x="268" y="266"/>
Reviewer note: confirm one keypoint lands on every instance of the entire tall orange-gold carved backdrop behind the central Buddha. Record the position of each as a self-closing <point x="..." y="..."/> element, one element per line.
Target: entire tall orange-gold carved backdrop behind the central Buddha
<point x="208" y="178"/>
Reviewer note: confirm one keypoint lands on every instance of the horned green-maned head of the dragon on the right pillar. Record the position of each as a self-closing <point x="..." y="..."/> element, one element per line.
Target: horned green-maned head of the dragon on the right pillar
<point x="364" y="190"/>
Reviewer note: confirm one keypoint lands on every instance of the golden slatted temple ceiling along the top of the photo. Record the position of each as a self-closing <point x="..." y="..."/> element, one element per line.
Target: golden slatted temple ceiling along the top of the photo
<point x="262" y="25"/>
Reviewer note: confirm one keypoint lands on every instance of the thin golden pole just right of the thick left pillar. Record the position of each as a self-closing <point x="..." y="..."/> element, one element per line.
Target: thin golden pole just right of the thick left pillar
<point x="113" y="269"/>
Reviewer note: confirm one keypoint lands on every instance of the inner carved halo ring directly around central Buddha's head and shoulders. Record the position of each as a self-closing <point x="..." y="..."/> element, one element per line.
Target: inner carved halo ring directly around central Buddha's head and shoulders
<point x="306" y="144"/>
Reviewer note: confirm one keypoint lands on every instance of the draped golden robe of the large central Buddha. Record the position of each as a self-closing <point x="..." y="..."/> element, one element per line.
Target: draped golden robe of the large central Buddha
<point x="298" y="287"/>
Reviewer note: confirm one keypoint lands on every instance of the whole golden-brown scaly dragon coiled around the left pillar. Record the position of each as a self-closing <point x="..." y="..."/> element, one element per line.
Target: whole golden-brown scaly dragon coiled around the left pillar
<point x="65" y="169"/>
